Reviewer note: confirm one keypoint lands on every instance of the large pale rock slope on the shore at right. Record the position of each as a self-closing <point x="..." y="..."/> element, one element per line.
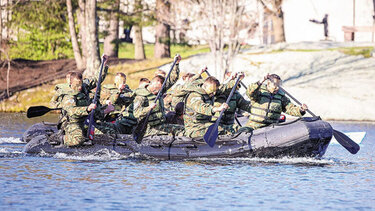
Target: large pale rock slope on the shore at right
<point x="334" y="85"/>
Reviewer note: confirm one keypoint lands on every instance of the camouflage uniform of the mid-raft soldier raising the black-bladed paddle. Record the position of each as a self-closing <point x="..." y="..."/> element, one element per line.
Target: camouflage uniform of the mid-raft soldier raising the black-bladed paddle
<point x="156" y="123"/>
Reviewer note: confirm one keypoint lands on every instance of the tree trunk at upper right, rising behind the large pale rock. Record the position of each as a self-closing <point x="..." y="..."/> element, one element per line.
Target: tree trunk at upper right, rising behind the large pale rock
<point x="273" y="8"/>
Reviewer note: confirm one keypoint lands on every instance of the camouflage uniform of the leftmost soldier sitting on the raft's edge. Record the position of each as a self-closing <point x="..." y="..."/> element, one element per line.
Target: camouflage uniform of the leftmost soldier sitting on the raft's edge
<point x="75" y="106"/>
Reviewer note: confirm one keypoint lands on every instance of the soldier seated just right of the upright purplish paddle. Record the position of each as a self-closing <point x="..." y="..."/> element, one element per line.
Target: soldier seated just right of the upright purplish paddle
<point x="118" y="94"/>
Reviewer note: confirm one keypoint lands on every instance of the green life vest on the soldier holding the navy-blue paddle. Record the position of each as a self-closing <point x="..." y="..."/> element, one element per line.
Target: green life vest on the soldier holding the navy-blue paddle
<point x="194" y="117"/>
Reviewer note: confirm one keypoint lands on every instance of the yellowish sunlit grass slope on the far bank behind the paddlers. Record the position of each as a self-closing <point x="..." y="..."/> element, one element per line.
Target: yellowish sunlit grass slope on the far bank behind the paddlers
<point x="41" y="95"/>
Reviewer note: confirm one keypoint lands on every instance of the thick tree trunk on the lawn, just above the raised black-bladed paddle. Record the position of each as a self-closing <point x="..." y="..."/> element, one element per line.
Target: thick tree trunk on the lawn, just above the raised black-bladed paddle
<point x="162" y="42"/>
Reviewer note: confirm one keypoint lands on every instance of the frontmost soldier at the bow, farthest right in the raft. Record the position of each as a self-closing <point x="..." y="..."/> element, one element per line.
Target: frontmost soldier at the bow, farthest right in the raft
<point x="268" y="102"/>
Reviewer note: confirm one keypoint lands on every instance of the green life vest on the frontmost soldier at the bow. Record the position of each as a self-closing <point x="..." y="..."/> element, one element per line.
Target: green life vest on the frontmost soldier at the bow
<point x="266" y="107"/>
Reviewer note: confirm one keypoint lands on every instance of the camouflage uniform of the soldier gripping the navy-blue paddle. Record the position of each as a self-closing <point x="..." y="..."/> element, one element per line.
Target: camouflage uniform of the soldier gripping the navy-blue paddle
<point x="198" y="110"/>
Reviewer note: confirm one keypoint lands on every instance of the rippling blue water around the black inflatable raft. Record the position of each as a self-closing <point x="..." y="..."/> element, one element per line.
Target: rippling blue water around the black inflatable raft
<point x="108" y="180"/>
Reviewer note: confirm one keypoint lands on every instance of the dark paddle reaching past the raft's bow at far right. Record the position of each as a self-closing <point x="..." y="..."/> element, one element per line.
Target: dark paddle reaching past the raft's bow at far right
<point x="344" y="140"/>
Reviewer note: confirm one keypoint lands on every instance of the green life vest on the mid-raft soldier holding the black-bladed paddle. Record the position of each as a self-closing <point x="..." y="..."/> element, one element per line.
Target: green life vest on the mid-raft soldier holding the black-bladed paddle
<point x="157" y="116"/>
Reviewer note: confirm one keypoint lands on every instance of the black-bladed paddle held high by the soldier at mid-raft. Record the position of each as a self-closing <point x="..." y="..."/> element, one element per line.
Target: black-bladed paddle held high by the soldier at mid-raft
<point x="140" y="130"/>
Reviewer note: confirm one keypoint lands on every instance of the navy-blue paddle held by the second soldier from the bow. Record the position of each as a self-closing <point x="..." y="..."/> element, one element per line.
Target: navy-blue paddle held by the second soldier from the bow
<point x="212" y="132"/>
